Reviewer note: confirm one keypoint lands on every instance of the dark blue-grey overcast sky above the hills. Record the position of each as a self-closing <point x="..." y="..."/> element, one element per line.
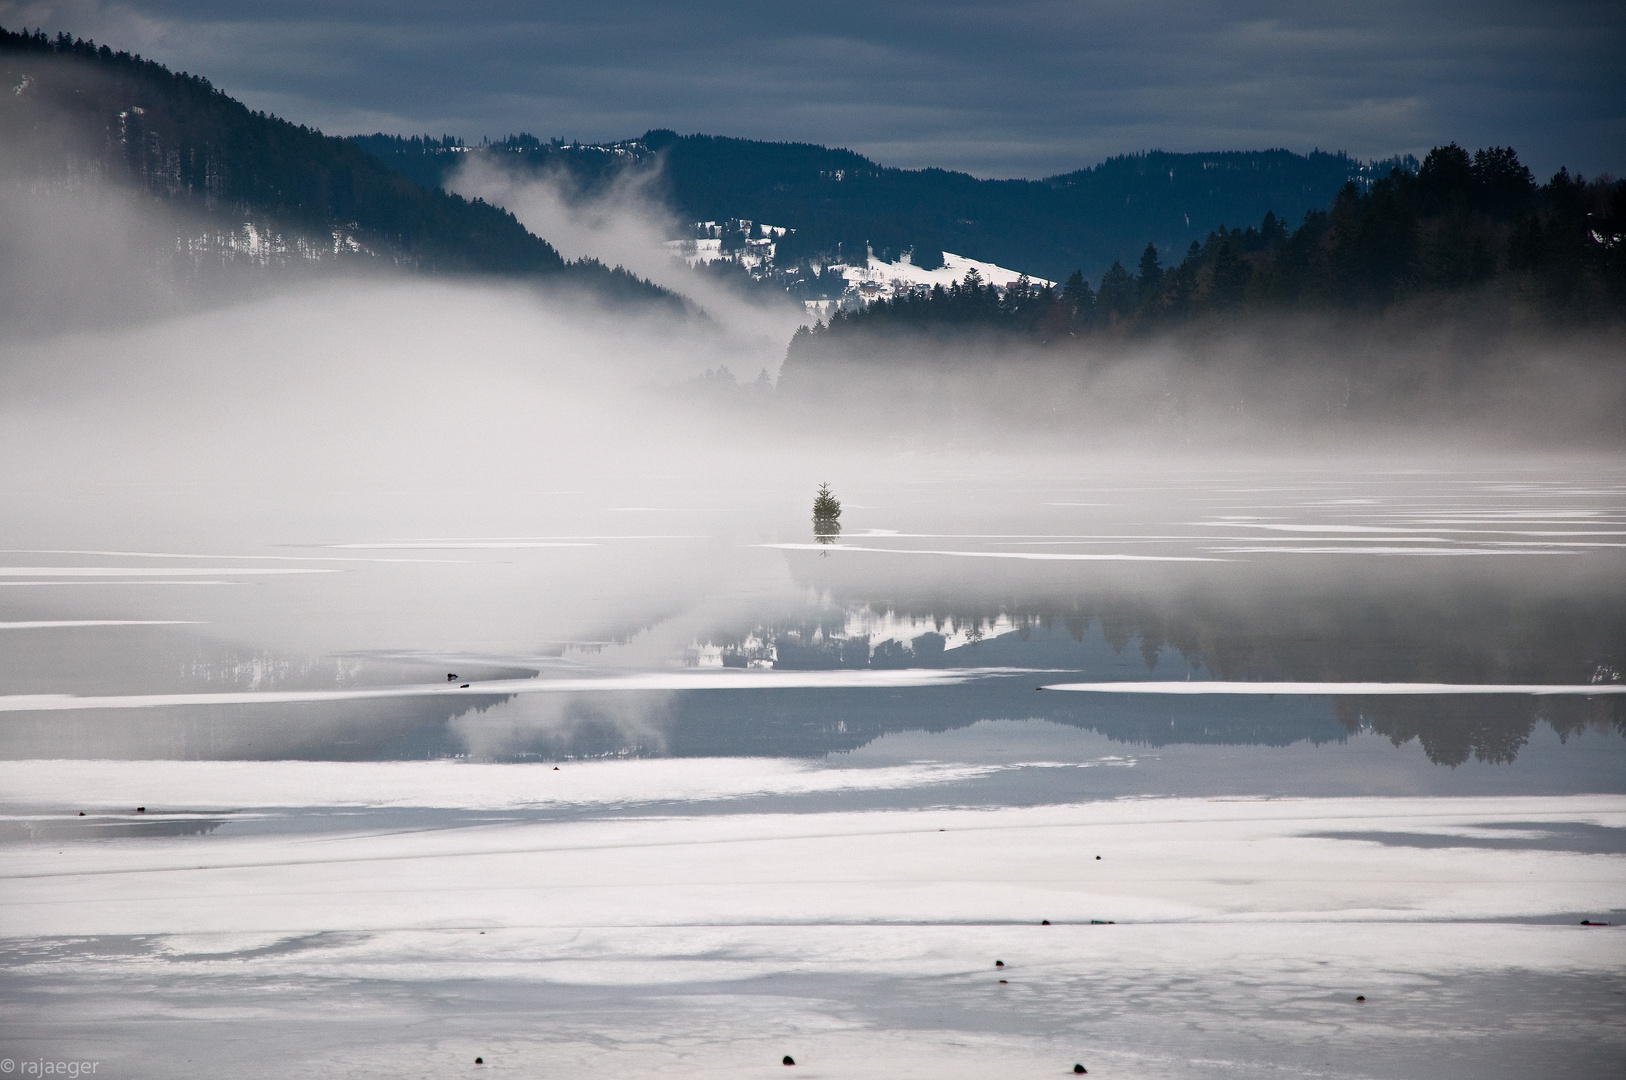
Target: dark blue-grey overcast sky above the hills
<point x="996" y="89"/>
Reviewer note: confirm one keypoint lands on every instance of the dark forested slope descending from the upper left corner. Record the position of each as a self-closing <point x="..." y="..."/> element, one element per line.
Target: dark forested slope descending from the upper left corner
<point x="76" y="111"/>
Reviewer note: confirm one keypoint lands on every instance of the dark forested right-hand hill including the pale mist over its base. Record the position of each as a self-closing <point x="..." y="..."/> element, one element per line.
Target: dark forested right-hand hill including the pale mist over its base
<point x="1461" y="300"/>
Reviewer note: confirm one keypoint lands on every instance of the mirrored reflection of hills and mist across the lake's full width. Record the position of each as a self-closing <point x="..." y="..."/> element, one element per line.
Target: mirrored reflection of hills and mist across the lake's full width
<point x="1043" y="624"/>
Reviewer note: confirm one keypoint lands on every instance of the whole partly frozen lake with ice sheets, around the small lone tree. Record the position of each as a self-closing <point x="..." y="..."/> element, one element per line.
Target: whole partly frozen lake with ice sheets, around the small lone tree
<point x="715" y="793"/>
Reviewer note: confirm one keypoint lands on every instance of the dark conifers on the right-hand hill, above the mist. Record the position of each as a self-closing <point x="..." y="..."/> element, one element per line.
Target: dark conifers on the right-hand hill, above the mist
<point x="1461" y="222"/>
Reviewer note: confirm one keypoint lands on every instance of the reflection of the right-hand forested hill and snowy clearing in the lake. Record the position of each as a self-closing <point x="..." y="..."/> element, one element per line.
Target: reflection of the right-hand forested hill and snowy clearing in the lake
<point x="1245" y="625"/>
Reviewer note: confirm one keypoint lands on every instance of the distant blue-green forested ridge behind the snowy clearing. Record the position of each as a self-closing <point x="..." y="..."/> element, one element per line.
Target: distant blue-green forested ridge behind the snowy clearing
<point x="838" y="202"/>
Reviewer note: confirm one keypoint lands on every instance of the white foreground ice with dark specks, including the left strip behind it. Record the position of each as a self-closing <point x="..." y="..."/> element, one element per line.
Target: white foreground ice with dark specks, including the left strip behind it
<point x="1233" y="938"/>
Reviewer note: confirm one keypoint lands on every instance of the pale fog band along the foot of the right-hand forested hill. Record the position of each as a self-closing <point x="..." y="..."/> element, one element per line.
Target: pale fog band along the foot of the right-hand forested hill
<point x="1428" y="380"/>
